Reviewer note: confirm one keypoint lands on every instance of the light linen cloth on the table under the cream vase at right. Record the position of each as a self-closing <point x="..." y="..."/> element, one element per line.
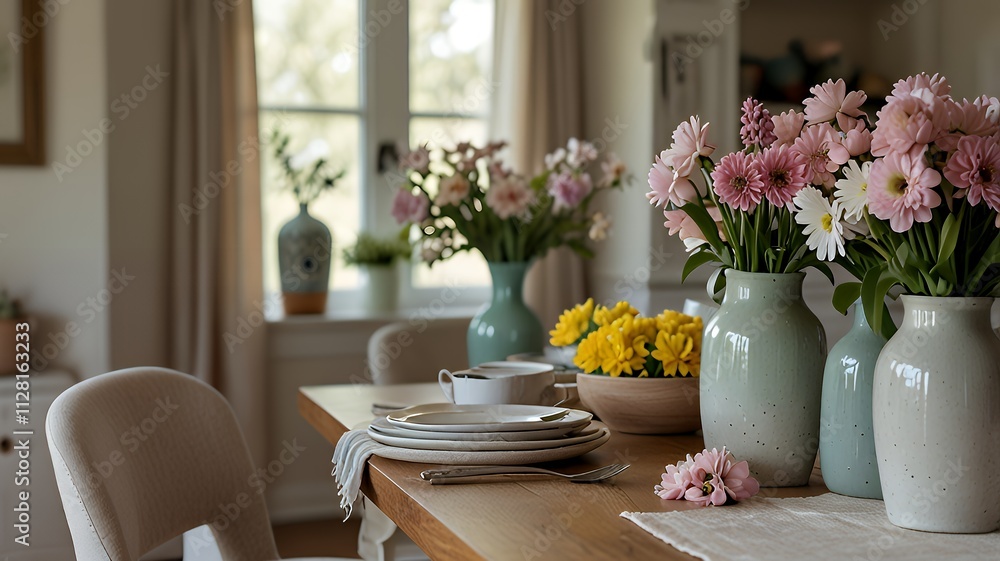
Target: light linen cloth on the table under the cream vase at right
<point x="829" y="526"/>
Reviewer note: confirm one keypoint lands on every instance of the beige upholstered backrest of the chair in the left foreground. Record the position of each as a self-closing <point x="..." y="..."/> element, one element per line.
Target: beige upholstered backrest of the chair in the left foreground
<point x="144" y="454"/>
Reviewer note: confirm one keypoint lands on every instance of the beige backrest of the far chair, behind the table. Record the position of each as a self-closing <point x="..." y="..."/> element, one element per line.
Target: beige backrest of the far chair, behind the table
<point x="409" y="352"/>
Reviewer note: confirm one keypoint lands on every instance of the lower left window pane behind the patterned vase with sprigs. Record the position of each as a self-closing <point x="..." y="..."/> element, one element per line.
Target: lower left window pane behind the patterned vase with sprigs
<point x="339" y="209"/>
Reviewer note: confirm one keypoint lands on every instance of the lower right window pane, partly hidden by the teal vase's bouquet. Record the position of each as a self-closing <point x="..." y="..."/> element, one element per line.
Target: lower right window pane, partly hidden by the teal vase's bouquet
<point x="467" y="268"/>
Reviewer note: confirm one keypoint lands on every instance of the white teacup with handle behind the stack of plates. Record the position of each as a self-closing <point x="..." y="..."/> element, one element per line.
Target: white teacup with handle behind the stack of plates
<point x="526" y="383"/>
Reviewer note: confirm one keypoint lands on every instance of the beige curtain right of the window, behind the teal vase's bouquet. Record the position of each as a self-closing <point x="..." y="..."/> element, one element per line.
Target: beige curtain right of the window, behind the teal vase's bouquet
<point x="537" y="107"/>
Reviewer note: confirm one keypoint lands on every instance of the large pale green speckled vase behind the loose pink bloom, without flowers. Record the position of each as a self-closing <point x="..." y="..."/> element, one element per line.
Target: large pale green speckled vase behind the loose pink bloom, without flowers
<point x="762" y="377"/>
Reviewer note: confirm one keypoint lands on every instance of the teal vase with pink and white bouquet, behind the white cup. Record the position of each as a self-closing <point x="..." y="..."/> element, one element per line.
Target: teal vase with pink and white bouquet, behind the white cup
<point x="465" y="199"/>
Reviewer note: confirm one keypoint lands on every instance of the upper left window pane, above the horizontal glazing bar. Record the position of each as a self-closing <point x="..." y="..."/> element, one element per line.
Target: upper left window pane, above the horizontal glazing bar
<point x="307" y="52"/>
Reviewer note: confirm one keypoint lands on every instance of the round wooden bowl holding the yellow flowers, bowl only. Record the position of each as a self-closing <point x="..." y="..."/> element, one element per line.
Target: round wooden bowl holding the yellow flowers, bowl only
<point x="642" y="405"/>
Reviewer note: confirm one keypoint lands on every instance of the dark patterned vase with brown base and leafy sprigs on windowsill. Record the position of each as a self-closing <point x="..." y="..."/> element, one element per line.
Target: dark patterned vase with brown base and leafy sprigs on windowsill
<point x="305" y="245"/>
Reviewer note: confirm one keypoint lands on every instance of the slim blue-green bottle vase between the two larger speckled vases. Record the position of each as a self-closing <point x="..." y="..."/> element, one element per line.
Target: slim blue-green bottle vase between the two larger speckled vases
<point x="846" y="438"/>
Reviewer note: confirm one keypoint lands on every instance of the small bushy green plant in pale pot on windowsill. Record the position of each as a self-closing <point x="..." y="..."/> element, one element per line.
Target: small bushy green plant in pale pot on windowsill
<point x="376" y="258"/>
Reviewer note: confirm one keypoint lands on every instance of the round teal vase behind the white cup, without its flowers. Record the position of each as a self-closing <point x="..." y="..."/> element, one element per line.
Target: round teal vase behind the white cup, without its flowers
<point x="505" y="326"/>
